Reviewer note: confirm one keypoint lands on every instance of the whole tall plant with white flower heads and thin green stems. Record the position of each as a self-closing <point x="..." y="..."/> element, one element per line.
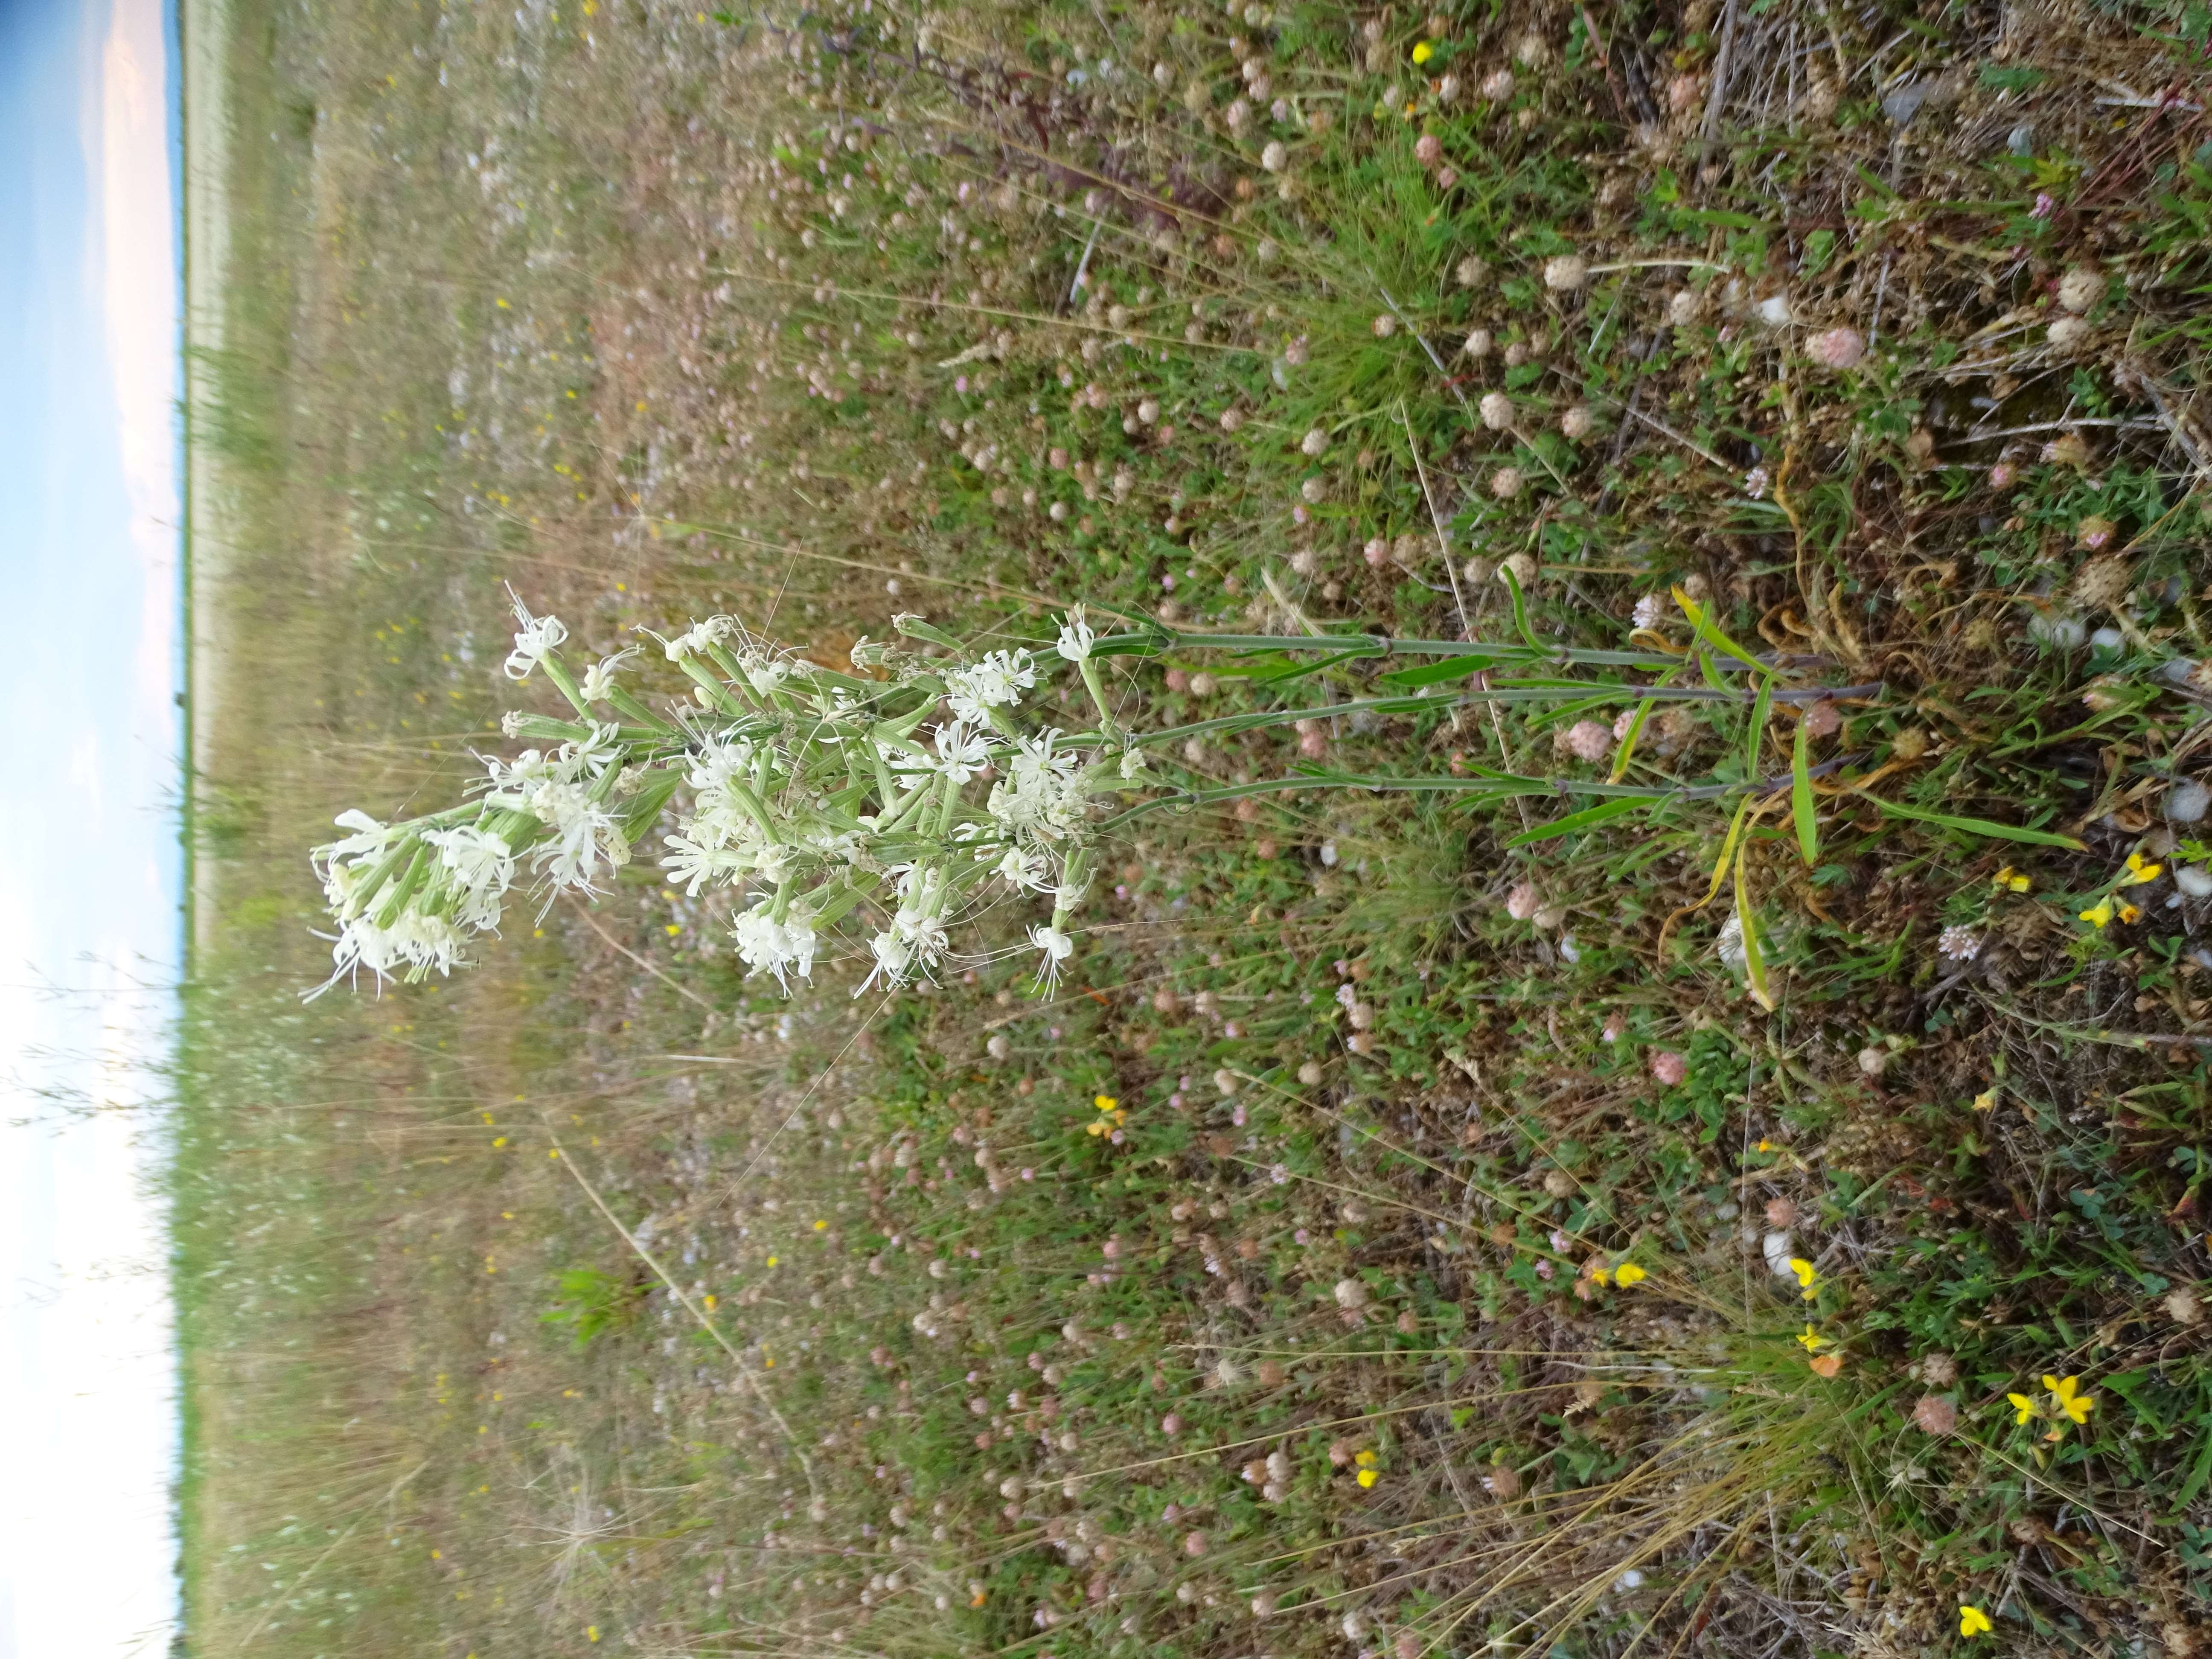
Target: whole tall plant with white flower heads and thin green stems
<point x="884" y="815"/>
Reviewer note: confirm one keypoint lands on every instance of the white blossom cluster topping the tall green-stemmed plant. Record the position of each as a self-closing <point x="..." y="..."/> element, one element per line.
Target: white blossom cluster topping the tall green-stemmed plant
<point x="908" y="806"/>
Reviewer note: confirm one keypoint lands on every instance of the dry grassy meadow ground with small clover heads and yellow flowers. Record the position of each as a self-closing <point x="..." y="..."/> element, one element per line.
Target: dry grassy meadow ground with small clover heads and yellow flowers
<point x="1872" y="331"/>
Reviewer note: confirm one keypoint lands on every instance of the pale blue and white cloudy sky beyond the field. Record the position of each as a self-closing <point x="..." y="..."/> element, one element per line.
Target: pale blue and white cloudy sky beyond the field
<point x="90" y="893"/>
